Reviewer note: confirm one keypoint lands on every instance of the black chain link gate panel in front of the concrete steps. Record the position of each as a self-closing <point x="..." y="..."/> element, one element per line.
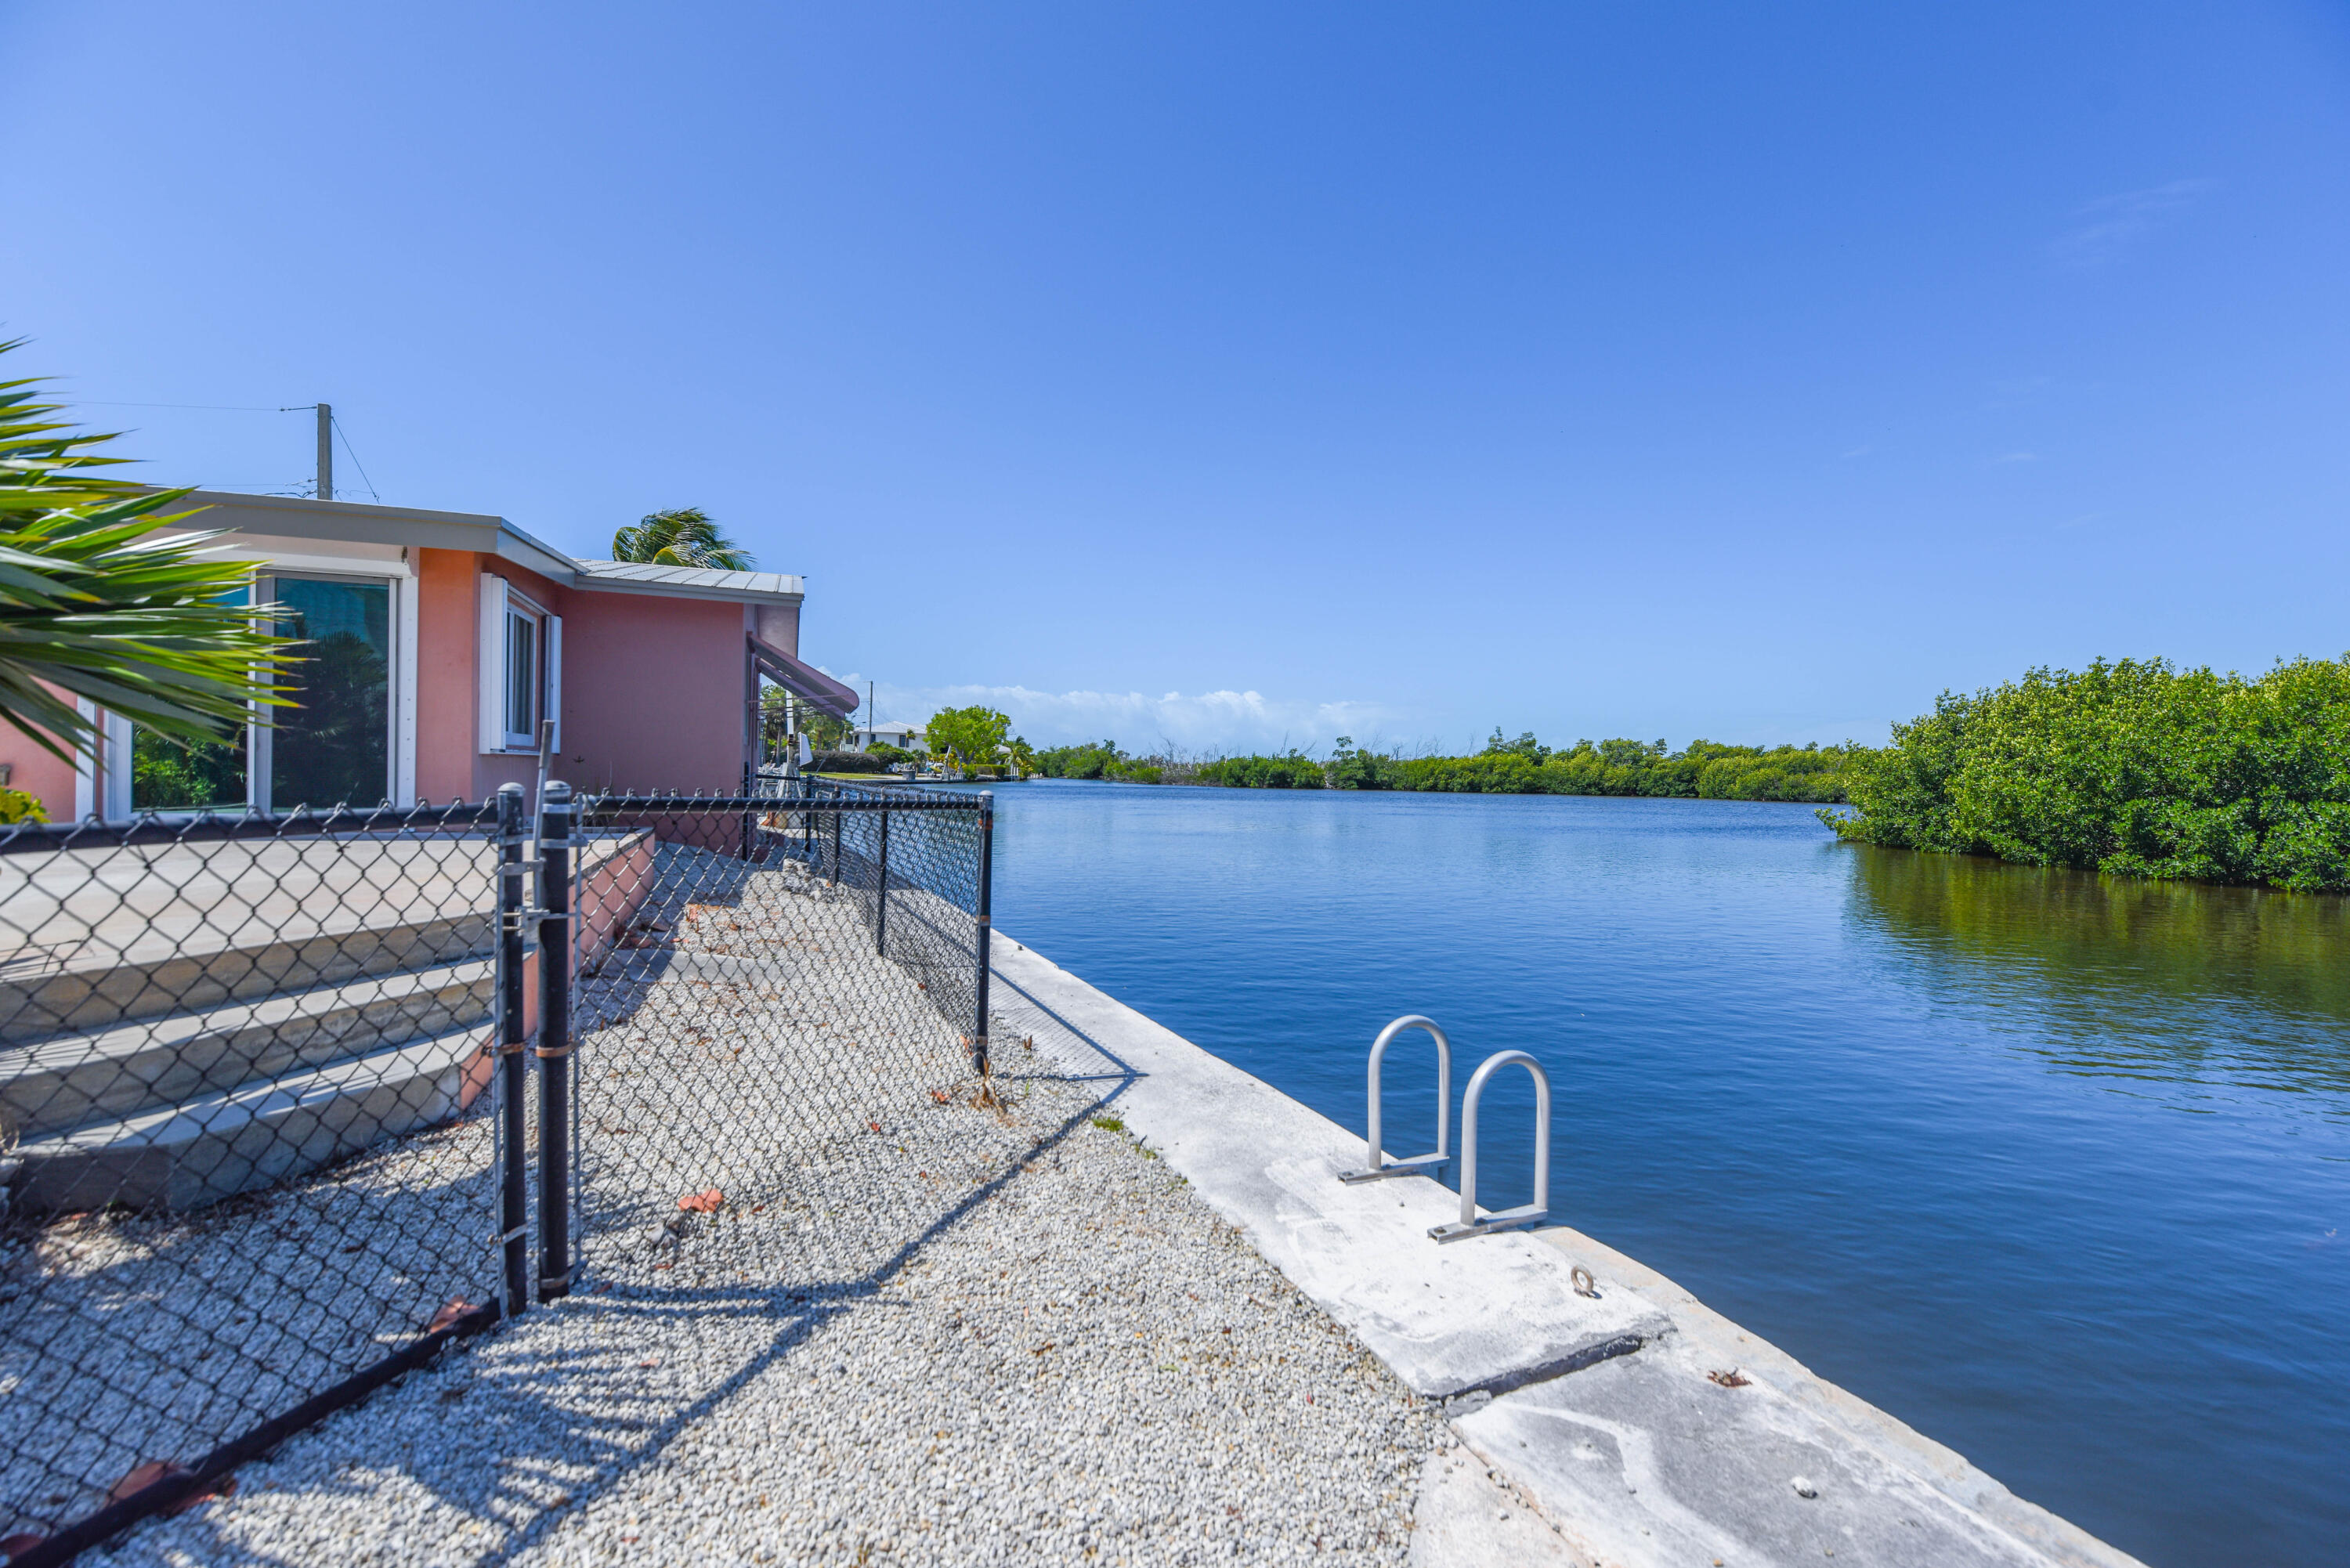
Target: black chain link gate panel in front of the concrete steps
<point x="248" y="1141"/>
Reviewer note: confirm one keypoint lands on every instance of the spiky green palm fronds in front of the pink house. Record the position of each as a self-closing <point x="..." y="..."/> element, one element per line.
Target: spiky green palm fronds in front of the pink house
<point x="95" y="603"/>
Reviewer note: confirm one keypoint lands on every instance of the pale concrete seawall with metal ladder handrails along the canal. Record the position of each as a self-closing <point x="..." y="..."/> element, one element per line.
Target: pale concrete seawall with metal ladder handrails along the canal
<point x="1637" y="1423"/>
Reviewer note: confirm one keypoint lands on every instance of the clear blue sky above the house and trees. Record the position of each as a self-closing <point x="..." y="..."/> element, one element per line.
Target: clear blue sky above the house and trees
<point x="1237" y="373"/>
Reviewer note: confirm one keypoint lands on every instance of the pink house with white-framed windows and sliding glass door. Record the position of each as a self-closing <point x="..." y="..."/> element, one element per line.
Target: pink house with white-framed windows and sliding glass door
<point x="441" y="641"/>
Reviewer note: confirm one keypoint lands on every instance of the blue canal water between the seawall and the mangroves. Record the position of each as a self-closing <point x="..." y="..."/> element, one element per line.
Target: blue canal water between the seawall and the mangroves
<point x="2053" y="1167"/>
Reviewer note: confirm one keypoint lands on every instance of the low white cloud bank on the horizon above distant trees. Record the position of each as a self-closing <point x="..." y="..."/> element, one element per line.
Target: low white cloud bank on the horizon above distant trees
<point x="1200" y="723"/>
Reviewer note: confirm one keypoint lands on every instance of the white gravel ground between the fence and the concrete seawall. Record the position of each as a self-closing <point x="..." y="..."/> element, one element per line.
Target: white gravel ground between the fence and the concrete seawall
<point x="969" y="1336"/>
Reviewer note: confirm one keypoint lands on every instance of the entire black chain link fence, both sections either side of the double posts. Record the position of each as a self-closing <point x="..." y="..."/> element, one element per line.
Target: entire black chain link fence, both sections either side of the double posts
<point x="286" y="1104"/>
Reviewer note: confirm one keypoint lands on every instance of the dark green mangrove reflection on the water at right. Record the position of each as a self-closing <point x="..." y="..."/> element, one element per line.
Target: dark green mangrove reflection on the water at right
<point x="2158" y="981"/>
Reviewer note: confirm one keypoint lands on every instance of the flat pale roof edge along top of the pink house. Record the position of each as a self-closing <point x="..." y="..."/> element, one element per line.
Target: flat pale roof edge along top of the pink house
<point x="368" y="523"/>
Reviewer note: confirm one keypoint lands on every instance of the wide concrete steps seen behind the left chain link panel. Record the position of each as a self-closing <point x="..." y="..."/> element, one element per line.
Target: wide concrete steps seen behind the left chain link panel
<point x="196" y="1021"/>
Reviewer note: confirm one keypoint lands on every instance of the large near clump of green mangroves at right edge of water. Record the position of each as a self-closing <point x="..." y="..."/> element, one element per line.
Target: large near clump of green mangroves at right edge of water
<point x="2128" y="768"/>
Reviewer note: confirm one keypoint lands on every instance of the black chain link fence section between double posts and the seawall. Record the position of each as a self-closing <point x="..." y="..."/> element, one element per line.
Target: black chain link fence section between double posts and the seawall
<point x="781" y="1068"/>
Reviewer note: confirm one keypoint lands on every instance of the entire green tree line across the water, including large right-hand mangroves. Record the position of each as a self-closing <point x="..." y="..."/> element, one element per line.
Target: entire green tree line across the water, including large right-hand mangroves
<point x="2130" y="768"/>
